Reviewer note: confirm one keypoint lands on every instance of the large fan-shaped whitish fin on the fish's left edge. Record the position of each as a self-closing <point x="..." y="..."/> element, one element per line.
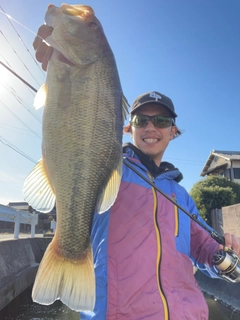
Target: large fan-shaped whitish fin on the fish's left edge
<point x="37" y="190"/>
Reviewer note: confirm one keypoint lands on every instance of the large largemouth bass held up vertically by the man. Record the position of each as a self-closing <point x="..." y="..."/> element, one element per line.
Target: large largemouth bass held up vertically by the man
<point x="81" y="160"/>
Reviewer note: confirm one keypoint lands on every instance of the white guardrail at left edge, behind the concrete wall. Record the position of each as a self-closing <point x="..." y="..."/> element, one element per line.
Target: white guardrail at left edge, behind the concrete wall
<point x="17" y="216"/>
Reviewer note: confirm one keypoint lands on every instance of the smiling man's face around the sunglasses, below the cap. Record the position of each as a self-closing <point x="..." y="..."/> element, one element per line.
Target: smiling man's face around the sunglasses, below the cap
<point x="152" y="140"/>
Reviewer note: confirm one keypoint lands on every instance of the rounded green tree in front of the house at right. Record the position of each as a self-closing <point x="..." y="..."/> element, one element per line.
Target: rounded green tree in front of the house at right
<point x="214" y="192"/>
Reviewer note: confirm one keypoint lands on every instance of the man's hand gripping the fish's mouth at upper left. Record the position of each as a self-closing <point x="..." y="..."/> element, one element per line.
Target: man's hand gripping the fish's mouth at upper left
<point x="43" y="51"/>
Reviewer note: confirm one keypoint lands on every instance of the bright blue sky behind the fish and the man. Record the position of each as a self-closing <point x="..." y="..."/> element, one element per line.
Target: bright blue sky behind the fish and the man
<point x="186" y="49"/>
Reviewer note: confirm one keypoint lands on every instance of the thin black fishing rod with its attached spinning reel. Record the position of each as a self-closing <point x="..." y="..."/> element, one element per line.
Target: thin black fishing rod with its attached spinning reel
<point x="225" y="262"/>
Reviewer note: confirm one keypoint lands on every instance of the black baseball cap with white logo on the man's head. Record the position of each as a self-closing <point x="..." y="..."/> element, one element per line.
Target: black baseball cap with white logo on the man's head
<point x="153" y="97"/>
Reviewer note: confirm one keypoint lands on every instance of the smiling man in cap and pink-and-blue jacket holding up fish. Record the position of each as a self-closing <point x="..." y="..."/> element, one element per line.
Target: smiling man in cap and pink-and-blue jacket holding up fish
<point x="144" y="246"/>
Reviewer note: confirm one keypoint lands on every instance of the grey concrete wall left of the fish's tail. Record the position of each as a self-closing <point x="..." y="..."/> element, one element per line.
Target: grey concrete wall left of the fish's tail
<point x="19" y="260"/>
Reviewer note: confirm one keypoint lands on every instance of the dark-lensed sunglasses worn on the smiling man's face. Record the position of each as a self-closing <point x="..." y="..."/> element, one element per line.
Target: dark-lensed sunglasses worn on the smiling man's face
<point x="140" y="121"/>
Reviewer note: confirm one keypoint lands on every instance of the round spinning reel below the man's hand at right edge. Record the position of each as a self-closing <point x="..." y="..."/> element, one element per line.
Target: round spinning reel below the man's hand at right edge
<point x="227" y="265"/>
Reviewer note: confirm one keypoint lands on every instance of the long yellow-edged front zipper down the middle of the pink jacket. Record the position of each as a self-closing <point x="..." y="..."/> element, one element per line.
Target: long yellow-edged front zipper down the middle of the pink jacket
<point x="159" y="253"/>
